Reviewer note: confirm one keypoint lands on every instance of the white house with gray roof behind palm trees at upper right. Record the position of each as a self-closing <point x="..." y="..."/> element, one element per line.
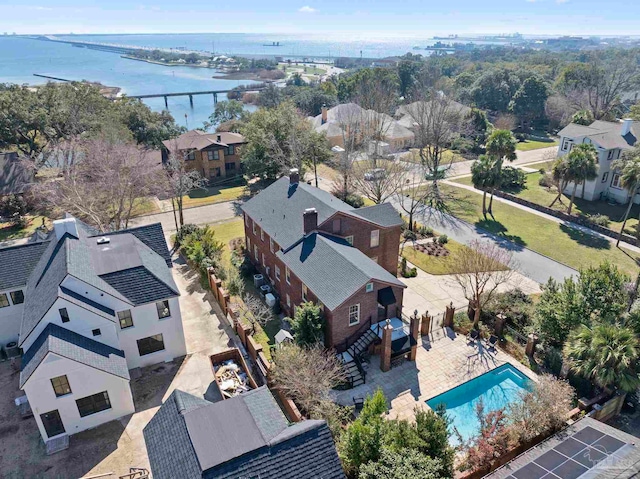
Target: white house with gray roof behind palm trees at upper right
<point x="610" y="140"/>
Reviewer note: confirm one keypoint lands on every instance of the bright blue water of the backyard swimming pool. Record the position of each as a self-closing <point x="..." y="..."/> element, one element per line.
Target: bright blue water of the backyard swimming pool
<point x="497" y="388"/>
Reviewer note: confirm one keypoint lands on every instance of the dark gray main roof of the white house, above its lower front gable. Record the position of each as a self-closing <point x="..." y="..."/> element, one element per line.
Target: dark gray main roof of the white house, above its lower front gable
<point x="83" y="258"/>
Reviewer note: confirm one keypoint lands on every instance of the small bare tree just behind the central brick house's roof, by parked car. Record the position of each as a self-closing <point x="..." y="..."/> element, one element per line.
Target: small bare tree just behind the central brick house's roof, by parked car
<point x="378" y="181"/>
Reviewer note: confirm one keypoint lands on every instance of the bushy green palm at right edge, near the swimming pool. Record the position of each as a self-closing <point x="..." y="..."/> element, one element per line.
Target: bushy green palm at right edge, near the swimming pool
<point x="606" y="354"/>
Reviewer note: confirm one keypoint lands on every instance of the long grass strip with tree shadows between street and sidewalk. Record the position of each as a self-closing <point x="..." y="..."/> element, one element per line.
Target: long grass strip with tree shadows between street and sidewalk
<point x="562" y="243"/>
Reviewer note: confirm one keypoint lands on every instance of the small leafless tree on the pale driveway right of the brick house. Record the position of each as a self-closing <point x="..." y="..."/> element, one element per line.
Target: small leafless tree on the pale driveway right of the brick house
<point x="480" y="269"/>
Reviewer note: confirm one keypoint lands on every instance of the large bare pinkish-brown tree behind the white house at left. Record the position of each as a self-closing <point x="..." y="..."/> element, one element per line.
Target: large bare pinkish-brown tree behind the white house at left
<point x="104" y="184"/>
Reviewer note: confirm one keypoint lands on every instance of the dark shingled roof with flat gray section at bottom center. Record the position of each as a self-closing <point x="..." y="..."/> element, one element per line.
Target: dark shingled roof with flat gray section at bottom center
<point x="245" y="436"/>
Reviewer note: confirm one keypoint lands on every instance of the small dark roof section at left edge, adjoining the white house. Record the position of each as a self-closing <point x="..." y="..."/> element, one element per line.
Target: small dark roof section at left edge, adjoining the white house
<point x="17" y="263"/>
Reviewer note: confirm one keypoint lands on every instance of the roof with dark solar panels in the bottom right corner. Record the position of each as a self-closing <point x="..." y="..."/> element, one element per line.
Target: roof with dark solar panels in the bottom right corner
<point x="588" y="448"/>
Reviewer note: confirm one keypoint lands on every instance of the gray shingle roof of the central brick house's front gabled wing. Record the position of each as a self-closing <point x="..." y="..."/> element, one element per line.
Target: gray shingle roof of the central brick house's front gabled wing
<point x="333" y="269"/>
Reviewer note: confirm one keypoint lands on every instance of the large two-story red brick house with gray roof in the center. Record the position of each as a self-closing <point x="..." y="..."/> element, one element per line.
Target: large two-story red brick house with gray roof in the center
<point x="314" y="247"/>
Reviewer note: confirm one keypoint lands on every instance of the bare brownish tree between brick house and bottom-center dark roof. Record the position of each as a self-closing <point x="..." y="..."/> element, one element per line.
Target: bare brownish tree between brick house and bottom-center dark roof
<point x="306" y="375"/>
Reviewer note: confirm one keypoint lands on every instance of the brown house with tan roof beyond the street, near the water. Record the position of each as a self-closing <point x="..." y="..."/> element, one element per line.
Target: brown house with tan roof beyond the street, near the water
<point x="214" y="155"/>
